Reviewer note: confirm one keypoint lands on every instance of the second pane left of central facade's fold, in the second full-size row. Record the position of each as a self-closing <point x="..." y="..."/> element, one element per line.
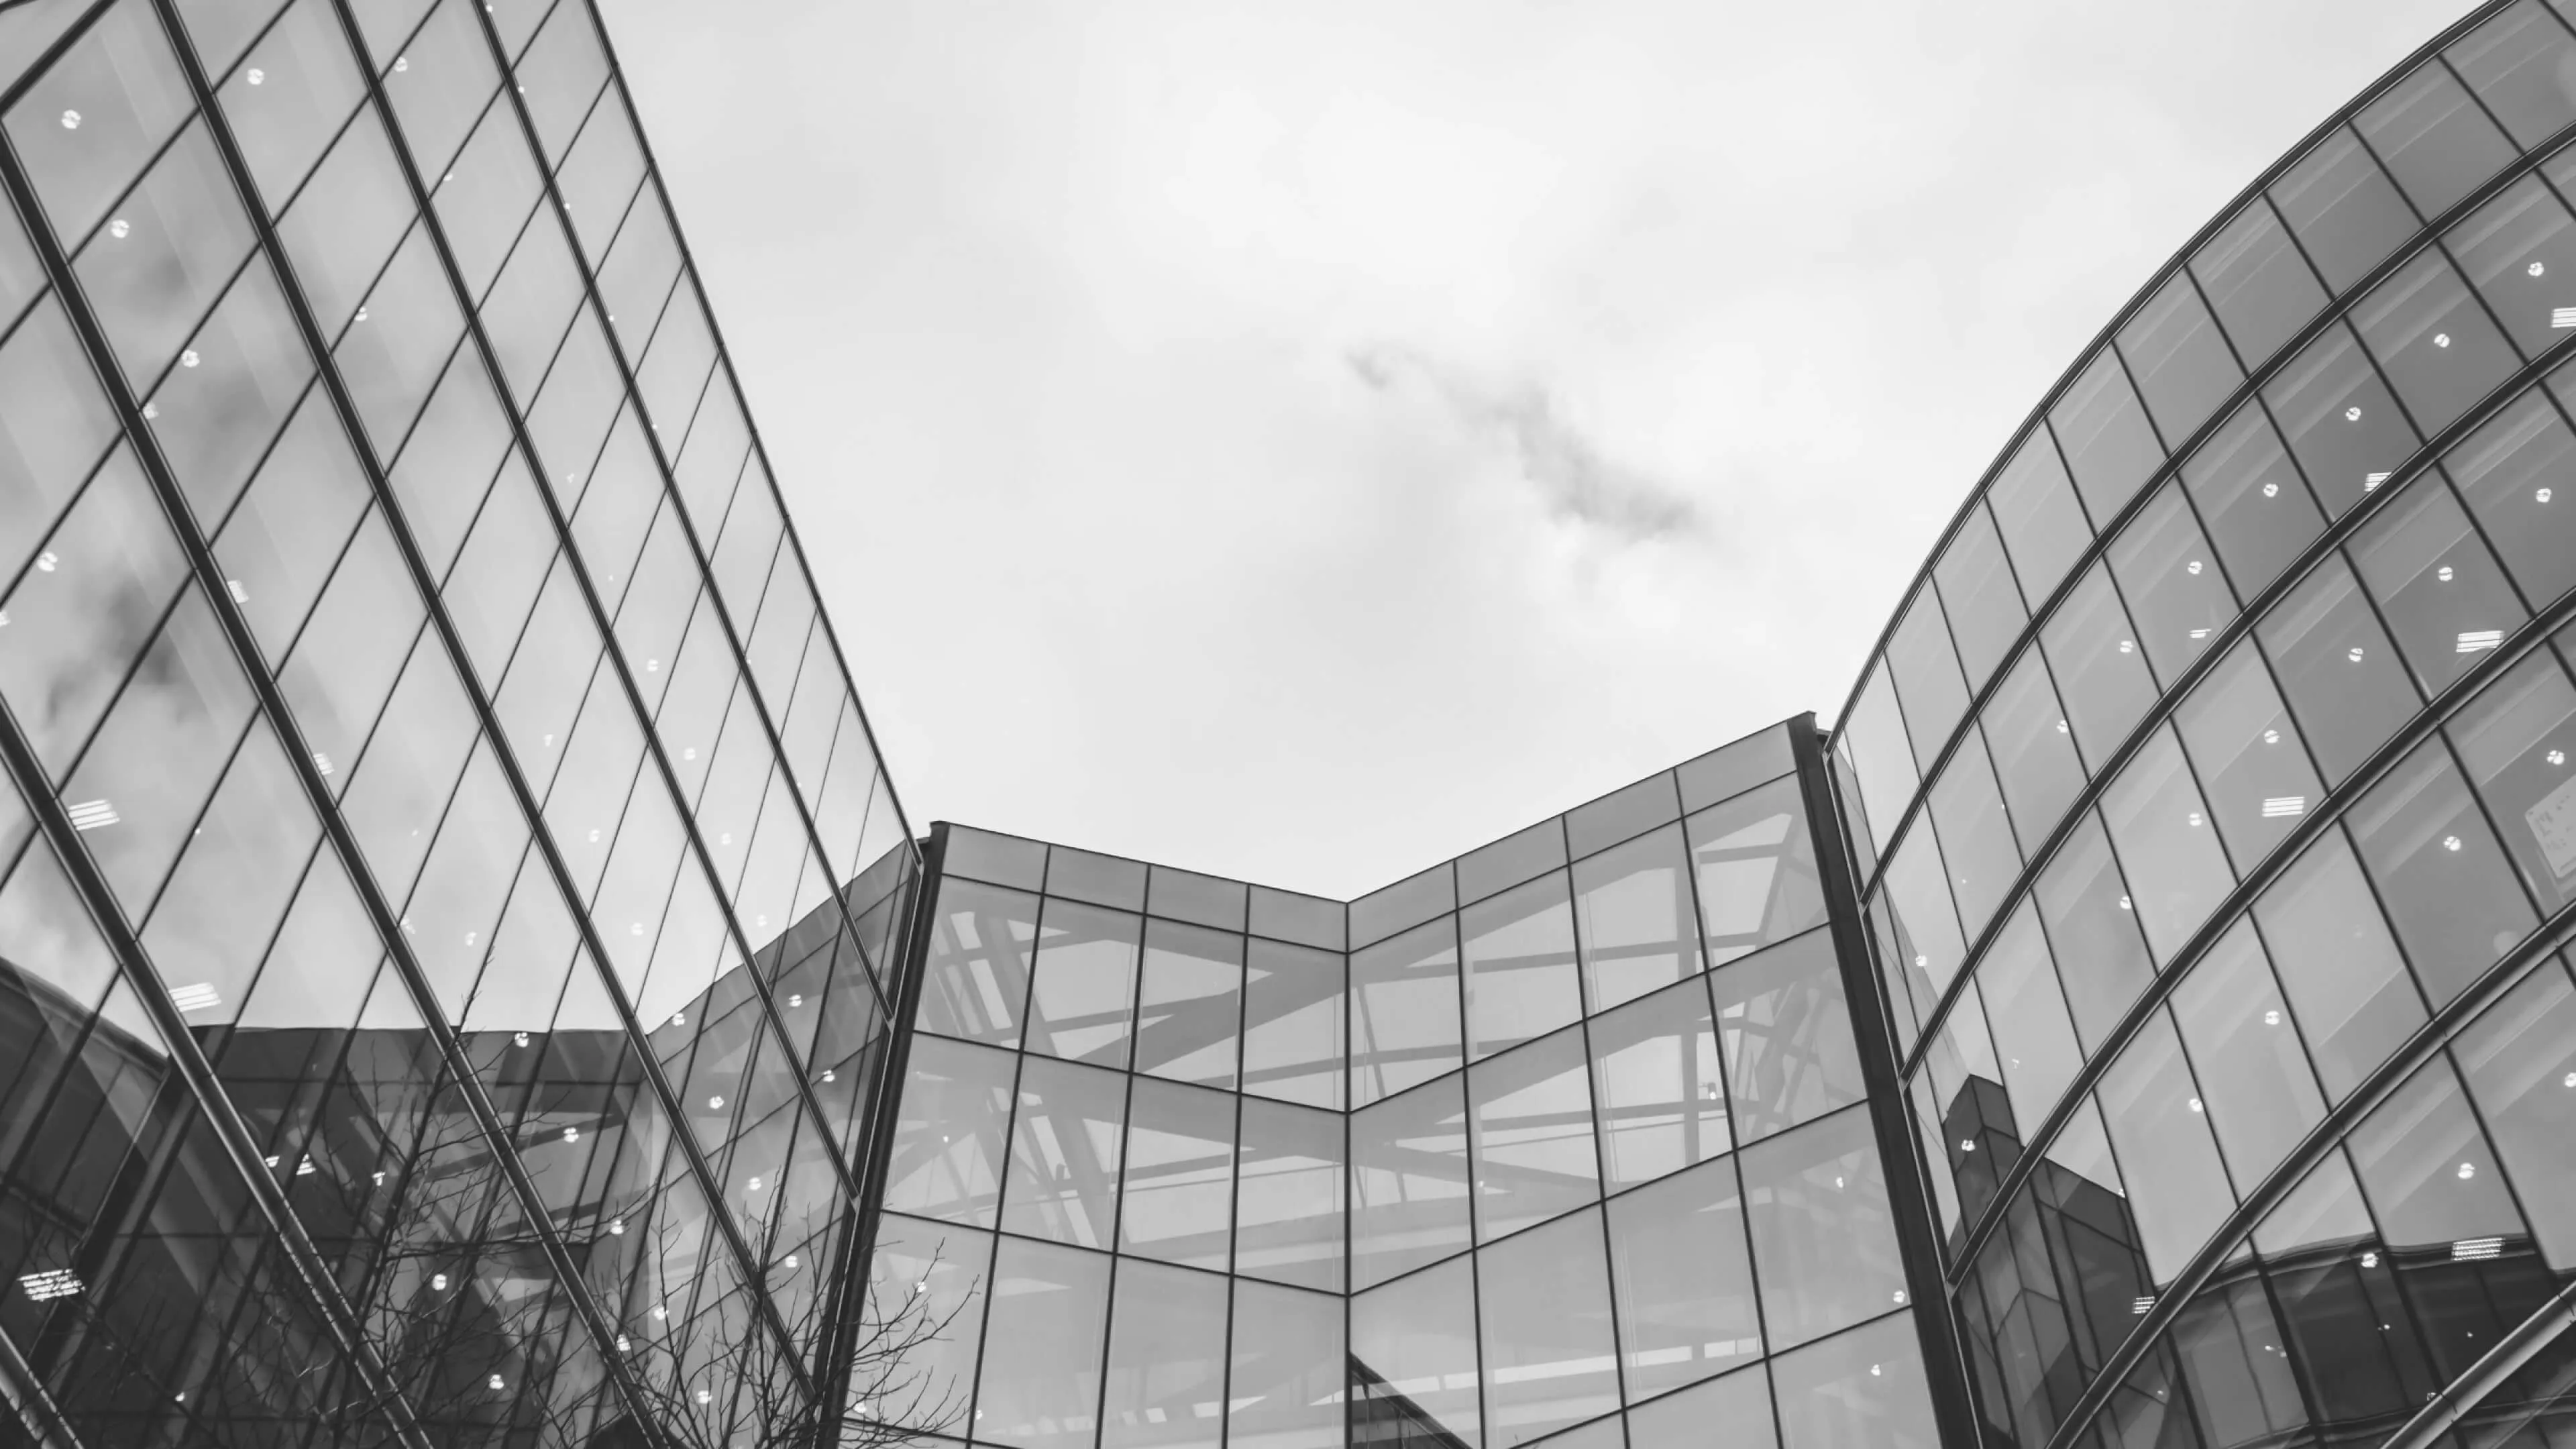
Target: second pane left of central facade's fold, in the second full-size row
<point x="1179" y="1195"/>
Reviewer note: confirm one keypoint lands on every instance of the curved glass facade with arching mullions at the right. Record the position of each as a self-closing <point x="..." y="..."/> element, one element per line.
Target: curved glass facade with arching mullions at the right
<point x="2211" y="803"/>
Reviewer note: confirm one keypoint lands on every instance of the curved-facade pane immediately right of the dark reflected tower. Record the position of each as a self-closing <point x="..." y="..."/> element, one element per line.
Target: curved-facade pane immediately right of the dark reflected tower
<point x="2157" y="1123"/>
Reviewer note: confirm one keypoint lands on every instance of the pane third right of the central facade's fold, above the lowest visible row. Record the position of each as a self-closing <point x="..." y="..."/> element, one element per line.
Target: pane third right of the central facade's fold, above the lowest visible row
<point x="1683" y="1280"/>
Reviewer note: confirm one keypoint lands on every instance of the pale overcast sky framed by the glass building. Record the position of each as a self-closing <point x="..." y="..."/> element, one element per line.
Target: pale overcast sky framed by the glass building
<point x="1310" y="440"/>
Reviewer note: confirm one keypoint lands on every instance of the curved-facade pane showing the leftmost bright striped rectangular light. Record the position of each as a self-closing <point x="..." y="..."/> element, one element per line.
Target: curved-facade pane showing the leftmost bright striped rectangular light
<point x="2248" y="757"/>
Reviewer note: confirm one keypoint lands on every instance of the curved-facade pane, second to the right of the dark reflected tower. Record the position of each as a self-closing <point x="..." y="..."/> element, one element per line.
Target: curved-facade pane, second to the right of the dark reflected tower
<point x="2245" y="1051"/>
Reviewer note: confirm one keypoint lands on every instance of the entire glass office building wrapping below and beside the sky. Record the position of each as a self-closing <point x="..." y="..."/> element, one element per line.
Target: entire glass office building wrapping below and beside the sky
<point x="465" y="976"/>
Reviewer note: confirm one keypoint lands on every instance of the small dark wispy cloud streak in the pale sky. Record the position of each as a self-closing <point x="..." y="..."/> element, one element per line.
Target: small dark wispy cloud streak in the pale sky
<point x="1557" y="460"/>
